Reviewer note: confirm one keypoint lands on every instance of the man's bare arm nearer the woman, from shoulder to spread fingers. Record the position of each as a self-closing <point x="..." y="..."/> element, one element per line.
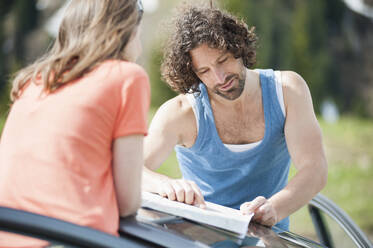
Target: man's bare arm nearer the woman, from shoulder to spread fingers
<point x="173" y="124"/>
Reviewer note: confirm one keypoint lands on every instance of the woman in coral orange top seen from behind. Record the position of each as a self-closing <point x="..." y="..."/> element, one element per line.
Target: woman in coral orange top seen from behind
<point x="72" y="144"/>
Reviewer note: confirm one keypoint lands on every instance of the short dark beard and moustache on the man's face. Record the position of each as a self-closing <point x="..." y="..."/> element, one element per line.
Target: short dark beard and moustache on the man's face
<point x="234" y="92"/>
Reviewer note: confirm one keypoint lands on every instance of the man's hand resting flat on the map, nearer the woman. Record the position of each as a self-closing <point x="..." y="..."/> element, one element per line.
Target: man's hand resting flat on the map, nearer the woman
<point x="182" y="191"/>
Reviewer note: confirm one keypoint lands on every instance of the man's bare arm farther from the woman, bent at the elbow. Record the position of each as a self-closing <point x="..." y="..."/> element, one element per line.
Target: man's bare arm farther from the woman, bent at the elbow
<point x="304" y="142"/>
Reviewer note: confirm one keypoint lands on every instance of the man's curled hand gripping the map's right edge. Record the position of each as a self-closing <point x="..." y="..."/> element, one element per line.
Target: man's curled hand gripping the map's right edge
<point x="264" y="212"/>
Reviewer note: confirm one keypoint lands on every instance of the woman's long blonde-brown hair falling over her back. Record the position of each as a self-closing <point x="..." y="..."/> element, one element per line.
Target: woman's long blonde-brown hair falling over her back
<point x="91" y="31"/>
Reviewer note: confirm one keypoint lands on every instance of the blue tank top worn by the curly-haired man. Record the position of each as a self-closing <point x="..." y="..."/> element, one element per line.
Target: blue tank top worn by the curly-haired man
<point x="231" y="178"/>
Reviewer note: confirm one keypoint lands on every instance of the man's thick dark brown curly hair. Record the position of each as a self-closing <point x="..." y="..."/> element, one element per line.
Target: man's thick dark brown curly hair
<point x="195" y="26"/>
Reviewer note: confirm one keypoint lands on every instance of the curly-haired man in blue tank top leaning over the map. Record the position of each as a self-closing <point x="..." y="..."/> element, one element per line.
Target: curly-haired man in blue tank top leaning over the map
<point x="235" y="135"/>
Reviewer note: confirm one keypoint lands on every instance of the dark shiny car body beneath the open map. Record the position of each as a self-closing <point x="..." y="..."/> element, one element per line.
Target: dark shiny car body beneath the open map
<point x="150" y="228"/>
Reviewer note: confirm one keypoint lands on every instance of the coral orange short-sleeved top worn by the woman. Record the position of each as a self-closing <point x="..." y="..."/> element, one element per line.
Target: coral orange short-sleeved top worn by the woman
<point x="56" y="149"/>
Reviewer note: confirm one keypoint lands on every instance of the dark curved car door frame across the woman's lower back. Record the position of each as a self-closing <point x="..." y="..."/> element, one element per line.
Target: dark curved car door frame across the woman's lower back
<point x="55" y="230"/>
